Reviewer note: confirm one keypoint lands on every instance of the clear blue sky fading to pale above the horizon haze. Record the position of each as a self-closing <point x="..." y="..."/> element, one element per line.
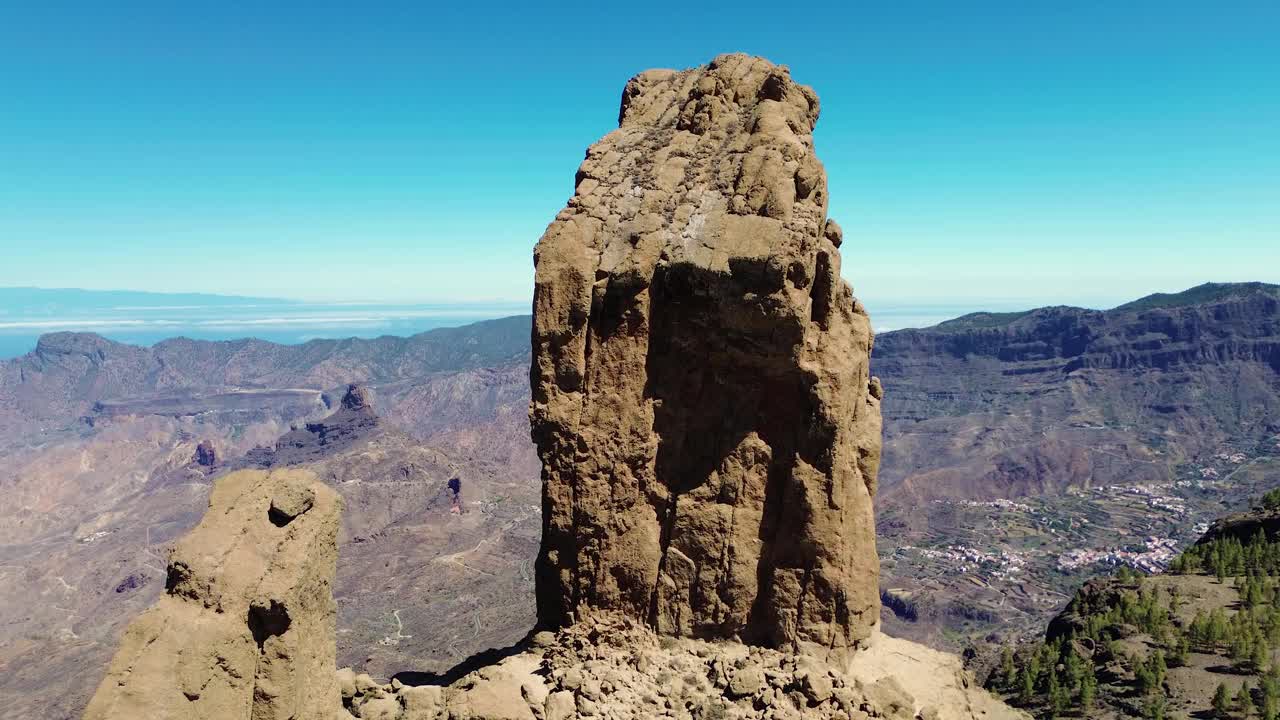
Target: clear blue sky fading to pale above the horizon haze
<point x="1004" y="153"/>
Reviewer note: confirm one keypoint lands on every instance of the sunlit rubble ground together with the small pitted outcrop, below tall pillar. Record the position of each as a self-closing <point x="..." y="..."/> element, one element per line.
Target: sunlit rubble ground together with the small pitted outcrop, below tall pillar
<point x="246" y="630"/>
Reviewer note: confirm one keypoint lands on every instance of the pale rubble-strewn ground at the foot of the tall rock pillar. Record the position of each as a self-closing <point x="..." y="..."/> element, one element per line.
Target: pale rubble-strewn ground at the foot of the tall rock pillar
<point x="615" y="669"/>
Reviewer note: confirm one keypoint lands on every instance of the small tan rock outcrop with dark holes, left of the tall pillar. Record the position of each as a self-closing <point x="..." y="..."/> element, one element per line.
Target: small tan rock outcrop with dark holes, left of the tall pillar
<point x="246" y="626"/>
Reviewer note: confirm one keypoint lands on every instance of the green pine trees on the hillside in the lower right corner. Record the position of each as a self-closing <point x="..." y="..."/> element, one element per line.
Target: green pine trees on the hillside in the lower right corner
<point x="1127" y="635"/>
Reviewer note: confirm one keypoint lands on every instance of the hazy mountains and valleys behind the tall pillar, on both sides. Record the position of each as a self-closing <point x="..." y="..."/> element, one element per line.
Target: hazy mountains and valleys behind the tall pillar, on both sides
<point x="1041" y="411"/>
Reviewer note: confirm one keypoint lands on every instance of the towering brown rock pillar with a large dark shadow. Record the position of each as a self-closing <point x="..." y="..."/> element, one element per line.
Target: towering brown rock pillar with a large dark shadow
<point x="702" y="404"/>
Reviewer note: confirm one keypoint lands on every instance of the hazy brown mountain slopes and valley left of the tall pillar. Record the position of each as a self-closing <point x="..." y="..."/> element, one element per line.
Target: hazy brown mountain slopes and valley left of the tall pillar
<point x="100" y="486"/>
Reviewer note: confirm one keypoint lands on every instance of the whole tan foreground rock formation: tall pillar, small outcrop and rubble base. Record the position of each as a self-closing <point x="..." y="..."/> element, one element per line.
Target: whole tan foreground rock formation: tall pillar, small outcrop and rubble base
<point x="710" y="438"/>
